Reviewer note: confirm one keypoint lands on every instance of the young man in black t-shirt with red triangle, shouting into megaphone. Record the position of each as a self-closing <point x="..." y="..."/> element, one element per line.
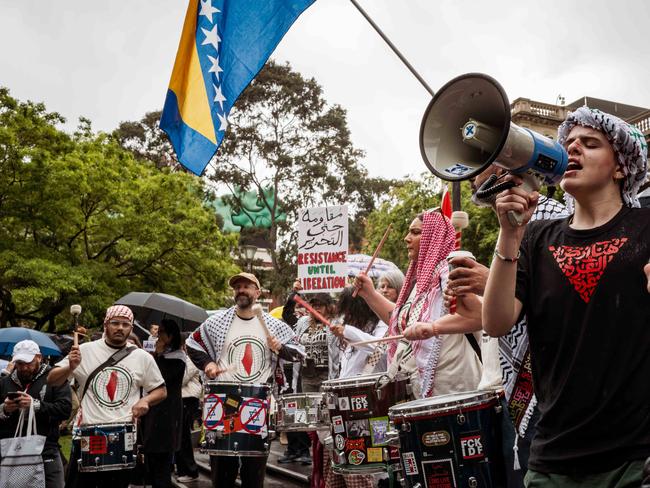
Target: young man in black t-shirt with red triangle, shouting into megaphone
<point x="583" y="282"/>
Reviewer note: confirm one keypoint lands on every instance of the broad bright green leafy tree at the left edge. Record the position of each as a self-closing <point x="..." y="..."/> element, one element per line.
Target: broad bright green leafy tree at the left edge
<point x="82" y="221"/>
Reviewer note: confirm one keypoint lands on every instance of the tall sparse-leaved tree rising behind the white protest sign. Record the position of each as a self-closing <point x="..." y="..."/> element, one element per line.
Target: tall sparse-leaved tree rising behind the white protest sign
<point x="284" y="136"/>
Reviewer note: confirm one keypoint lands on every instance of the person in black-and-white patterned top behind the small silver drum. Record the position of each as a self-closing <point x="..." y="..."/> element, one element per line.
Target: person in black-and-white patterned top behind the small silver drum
<point x="319" y="364"/>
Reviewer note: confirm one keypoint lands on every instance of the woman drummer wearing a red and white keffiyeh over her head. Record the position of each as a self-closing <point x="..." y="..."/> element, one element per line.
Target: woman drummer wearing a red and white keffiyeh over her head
<point x="450" y="359"/>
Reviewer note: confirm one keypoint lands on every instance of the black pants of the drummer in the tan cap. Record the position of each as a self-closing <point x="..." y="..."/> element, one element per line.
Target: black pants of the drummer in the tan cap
<point x="224" y="471"/>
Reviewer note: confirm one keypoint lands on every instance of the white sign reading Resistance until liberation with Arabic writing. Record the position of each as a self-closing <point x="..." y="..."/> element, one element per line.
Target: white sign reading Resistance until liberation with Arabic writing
<point x="323" y="248"/>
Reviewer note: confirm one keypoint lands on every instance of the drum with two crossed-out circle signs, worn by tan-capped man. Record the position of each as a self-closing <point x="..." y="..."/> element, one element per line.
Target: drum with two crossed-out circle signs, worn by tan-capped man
<point x="235" y="417"/>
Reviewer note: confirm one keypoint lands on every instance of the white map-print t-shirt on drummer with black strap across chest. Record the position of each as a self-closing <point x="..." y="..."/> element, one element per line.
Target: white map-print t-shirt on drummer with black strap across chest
<point x="115" y="389"/>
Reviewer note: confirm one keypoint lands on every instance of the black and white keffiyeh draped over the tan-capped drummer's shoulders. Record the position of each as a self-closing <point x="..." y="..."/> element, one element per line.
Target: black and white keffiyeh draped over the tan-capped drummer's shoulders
<point x="210" y="336"/>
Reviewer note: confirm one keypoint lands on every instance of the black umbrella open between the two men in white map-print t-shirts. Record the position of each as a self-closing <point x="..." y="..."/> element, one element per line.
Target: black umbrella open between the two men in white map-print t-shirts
<point x="151" y="308"/>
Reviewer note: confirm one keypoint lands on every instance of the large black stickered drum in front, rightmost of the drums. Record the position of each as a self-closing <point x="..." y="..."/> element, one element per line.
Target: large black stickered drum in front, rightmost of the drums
<point x="451" y="440"/>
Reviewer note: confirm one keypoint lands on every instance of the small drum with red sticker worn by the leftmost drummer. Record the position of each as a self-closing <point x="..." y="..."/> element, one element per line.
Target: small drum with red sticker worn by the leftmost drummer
<point x="104" y="447"/>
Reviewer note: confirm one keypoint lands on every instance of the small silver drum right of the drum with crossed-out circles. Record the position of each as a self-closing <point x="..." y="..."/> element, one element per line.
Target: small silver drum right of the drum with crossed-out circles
<point x="302" y="412"/>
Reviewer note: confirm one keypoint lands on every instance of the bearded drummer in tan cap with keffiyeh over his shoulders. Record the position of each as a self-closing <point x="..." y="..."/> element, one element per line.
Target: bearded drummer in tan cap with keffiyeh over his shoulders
<point x="215" y="343"/>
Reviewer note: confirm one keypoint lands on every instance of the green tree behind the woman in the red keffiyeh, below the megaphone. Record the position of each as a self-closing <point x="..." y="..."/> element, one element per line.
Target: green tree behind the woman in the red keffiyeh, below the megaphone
<point x="411" y="197"/>
